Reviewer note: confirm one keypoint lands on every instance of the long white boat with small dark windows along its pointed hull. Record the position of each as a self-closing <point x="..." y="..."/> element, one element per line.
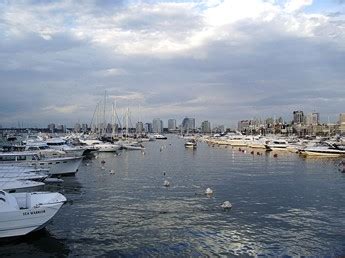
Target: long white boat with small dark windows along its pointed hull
<point x="56" y="166"/>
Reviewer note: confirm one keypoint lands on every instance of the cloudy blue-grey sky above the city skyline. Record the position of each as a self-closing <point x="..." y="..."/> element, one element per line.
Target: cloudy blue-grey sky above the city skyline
<point x="214" y="60"/>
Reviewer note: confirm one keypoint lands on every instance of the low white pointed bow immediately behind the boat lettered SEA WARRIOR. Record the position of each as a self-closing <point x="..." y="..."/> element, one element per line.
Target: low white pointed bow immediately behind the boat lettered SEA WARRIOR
<point x="15" y="185"/>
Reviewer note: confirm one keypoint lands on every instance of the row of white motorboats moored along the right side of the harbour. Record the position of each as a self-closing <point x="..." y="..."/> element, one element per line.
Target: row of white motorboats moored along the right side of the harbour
<point x="307" y="147"/>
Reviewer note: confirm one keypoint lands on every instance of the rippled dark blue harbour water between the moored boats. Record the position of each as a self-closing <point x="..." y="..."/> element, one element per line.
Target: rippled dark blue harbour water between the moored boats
<point x="281" y="206"/>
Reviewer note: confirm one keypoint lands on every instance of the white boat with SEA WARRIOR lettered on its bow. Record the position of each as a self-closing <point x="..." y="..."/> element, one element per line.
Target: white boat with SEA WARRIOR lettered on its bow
<point x="22" y="213"/>
